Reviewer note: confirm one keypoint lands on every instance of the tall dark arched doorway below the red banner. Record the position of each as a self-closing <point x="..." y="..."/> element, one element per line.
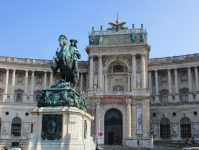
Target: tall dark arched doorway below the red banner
<point x="113" y="127"/>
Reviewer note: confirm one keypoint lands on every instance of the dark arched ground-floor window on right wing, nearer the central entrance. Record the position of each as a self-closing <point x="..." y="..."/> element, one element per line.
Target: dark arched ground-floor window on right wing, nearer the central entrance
<point x="165" y="127"/>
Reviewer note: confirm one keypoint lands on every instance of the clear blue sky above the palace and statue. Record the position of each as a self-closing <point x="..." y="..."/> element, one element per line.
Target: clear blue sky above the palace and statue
<point x="30" y="28"/>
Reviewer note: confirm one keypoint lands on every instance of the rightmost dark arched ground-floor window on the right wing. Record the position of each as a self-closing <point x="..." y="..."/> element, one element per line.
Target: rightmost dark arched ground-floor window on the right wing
<point x="185" y="125"/>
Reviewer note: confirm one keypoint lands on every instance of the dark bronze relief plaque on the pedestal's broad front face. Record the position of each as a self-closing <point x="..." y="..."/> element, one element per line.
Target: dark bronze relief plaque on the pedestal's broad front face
<point x="51" y="126"/>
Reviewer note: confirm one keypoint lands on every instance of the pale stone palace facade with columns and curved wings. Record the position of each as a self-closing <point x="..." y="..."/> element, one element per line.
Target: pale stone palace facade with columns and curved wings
<point x="128" y="93"/>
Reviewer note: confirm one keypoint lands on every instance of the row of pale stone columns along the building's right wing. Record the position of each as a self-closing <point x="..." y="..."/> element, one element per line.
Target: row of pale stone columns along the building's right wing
<point x="176" y="93"/>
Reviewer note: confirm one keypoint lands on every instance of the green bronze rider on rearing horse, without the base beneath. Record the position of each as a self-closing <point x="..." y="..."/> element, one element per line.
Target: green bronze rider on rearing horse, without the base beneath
<point x="66" y="60"/>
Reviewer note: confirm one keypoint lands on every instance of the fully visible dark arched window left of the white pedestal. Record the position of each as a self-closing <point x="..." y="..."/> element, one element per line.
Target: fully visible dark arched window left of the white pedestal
<point x="16" y="127"/>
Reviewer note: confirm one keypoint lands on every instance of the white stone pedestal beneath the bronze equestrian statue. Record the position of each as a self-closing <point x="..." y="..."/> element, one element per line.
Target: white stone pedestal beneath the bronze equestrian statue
<point x="74" y="126"/>
